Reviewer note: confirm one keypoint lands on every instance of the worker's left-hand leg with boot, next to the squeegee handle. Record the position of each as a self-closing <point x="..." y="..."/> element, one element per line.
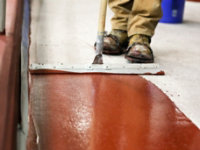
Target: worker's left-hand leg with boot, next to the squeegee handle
<point x="116" y="42"/>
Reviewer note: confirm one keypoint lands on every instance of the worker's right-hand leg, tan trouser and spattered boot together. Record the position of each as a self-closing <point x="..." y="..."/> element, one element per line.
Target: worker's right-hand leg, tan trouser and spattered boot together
<point x="142" y="22"/>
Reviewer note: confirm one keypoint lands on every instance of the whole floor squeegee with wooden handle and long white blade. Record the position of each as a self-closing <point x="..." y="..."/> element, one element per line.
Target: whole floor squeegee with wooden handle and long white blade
<point x="98" y="66"/>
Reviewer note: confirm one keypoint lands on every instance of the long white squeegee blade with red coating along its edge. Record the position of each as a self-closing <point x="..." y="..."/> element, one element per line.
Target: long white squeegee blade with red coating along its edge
<point x="100" y="68"/>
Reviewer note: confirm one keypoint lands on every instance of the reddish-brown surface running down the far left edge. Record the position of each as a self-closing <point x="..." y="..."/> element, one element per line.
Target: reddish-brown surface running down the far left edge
<point x="10" y="46"/>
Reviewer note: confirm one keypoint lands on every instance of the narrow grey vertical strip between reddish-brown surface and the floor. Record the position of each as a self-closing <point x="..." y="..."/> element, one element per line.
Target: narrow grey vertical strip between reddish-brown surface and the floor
<point x="23" y="127"/>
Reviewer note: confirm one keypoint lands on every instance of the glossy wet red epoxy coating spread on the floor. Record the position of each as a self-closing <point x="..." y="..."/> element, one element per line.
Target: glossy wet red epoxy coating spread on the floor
<point x="105" y="112"/>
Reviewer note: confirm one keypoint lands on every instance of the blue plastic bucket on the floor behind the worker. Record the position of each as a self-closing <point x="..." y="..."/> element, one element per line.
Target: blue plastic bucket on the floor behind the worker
<point x="173" y="11"/>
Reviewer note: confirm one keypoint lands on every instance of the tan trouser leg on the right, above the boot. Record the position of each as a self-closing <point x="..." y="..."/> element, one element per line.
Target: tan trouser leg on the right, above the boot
<point x="144" y="17"/>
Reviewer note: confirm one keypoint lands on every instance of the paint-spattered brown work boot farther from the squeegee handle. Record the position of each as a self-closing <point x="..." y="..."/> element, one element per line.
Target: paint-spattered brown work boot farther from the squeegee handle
<point x="139" y="50"/>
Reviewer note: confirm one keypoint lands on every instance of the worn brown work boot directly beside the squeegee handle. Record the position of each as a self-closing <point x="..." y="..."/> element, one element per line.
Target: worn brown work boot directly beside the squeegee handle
<point x="115" y="43"/>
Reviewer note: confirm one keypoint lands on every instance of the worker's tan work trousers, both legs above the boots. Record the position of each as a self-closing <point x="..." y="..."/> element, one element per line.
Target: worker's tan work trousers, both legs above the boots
<point x="136" y="16"/>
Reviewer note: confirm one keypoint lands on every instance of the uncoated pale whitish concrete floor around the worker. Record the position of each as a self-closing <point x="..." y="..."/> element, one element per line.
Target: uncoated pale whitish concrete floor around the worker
<point x="63" y="33"/>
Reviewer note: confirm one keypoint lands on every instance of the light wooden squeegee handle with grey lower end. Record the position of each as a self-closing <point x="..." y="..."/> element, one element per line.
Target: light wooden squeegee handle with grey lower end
<point x="101" y="27"/>
